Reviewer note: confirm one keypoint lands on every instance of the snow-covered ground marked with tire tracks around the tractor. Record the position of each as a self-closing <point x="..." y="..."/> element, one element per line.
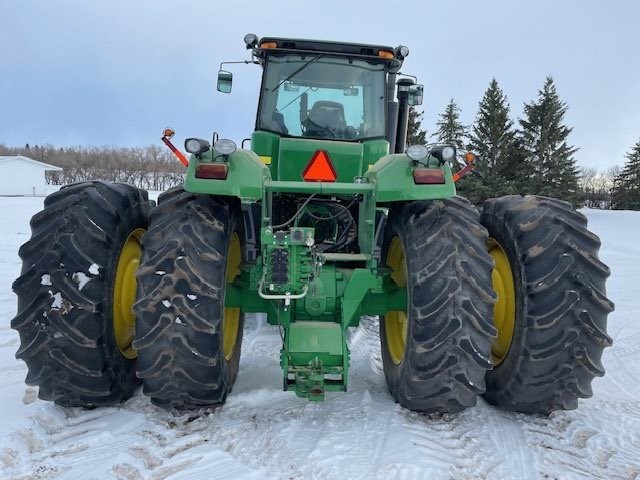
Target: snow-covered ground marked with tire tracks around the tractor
<point x="263" y="432"/>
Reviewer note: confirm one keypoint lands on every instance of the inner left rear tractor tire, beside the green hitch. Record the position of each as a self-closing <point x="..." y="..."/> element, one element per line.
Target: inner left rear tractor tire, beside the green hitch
<point x="191" y="249"/>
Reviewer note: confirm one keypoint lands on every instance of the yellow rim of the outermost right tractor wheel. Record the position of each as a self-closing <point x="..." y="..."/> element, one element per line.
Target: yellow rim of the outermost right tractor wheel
<point x="504" y="310"/>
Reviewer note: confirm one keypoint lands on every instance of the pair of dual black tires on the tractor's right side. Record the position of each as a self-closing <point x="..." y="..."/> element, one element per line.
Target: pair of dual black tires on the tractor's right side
<point x="509" y="304"/>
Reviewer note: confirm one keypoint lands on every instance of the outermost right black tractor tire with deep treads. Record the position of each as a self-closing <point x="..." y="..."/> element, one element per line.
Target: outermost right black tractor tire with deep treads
<point x="559" y="310"/>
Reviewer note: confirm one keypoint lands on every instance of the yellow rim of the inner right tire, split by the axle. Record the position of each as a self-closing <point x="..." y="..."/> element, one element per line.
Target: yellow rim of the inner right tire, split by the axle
<point x="396" y="323"/>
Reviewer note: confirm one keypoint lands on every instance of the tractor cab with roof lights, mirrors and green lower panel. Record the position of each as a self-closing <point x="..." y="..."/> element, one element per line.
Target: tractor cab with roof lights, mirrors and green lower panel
<point x="336" y="97"/>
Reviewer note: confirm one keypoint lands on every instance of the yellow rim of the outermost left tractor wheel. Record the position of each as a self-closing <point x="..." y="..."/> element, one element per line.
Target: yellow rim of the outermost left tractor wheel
<point x="124" y="294"/>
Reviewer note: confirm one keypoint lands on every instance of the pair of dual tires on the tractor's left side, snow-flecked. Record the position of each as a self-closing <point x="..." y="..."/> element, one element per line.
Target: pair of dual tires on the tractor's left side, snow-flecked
<point x="92" y="247"/>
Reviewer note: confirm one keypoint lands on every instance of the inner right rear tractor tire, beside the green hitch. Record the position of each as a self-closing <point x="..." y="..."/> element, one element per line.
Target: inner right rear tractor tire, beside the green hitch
<point x="441" y="363"/>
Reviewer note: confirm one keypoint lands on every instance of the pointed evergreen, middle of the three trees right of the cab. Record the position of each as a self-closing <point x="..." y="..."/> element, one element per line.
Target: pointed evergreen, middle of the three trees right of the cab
<point x="492" y="140"/>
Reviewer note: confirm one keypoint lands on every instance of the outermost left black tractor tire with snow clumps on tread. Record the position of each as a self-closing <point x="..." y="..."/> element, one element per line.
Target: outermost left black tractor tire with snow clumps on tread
<point x="66" y="294"/>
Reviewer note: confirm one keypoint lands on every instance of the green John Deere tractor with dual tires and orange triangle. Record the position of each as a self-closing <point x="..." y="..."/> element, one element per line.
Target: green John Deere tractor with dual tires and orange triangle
<point x="328" y="217"/>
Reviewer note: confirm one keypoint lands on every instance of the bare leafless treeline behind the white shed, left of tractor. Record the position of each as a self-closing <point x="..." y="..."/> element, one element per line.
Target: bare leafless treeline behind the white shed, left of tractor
<point x="150" y="168"/>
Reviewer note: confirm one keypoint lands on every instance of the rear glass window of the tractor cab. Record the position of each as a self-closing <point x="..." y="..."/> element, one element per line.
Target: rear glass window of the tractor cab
<point x="322" y="98"/>
